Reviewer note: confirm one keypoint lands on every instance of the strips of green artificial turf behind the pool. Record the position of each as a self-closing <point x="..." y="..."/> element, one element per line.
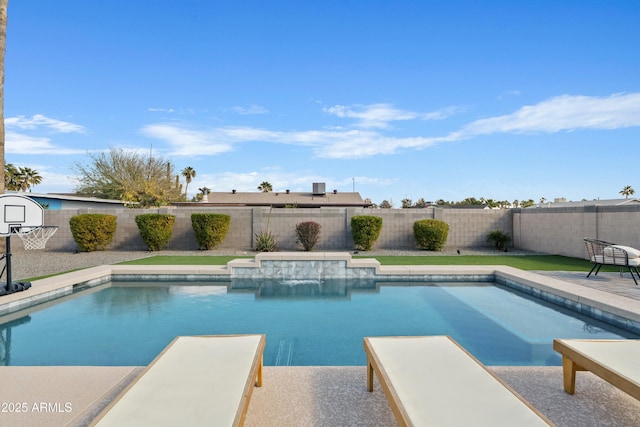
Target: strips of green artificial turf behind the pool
<point x="524" y="262"/>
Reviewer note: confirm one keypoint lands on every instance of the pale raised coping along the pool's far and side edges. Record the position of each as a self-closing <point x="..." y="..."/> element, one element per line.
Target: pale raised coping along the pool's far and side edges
<point x="611" y="308"/>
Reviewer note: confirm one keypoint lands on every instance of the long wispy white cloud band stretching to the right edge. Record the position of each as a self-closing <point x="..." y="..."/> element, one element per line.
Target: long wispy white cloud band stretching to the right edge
<point x="563" y="113"/>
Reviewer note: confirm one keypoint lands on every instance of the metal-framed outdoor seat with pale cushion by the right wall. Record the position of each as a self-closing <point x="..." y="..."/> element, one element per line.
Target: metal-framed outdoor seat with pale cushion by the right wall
<point x="602" y="253"/>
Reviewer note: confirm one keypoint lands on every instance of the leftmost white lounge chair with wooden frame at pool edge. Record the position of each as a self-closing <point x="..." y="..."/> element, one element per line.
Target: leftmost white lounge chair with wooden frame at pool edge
<point x="195" y="381"/>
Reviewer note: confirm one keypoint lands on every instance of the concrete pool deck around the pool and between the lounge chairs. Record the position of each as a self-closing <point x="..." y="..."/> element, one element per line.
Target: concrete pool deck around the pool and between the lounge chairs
<point x="325" y="396"/>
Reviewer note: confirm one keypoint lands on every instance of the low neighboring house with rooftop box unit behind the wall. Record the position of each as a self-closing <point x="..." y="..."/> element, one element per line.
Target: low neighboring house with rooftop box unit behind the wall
<point x="317" y="198"/>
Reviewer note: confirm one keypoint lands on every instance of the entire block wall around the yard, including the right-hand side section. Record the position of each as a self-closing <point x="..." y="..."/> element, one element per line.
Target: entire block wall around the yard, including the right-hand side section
<point x="546" y="230"/>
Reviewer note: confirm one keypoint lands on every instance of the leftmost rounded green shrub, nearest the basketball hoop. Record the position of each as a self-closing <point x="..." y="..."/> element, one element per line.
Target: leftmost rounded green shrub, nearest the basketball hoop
<point x="93" y="232"/>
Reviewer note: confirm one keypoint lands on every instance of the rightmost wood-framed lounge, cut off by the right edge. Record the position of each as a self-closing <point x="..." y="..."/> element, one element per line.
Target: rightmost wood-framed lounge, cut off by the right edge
<point x="615" y="361"/>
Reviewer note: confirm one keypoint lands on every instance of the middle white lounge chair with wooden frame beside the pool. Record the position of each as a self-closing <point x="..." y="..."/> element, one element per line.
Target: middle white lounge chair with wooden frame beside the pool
<point x="432" y="380"/>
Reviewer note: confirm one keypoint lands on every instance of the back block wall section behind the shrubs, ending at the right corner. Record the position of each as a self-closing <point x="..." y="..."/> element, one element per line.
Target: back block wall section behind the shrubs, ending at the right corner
<point x="467" y="227"/>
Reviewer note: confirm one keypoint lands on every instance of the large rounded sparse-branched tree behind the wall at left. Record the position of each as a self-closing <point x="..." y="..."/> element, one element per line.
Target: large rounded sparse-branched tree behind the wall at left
<point x="129" y="176"/>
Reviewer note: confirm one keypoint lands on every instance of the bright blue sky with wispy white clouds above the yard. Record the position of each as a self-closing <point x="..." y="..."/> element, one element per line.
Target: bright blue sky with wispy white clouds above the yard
<point x="397" y="99"/>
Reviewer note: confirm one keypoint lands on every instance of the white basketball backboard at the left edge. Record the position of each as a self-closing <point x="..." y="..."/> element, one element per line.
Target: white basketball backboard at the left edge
<point x="19" y="211"/>
